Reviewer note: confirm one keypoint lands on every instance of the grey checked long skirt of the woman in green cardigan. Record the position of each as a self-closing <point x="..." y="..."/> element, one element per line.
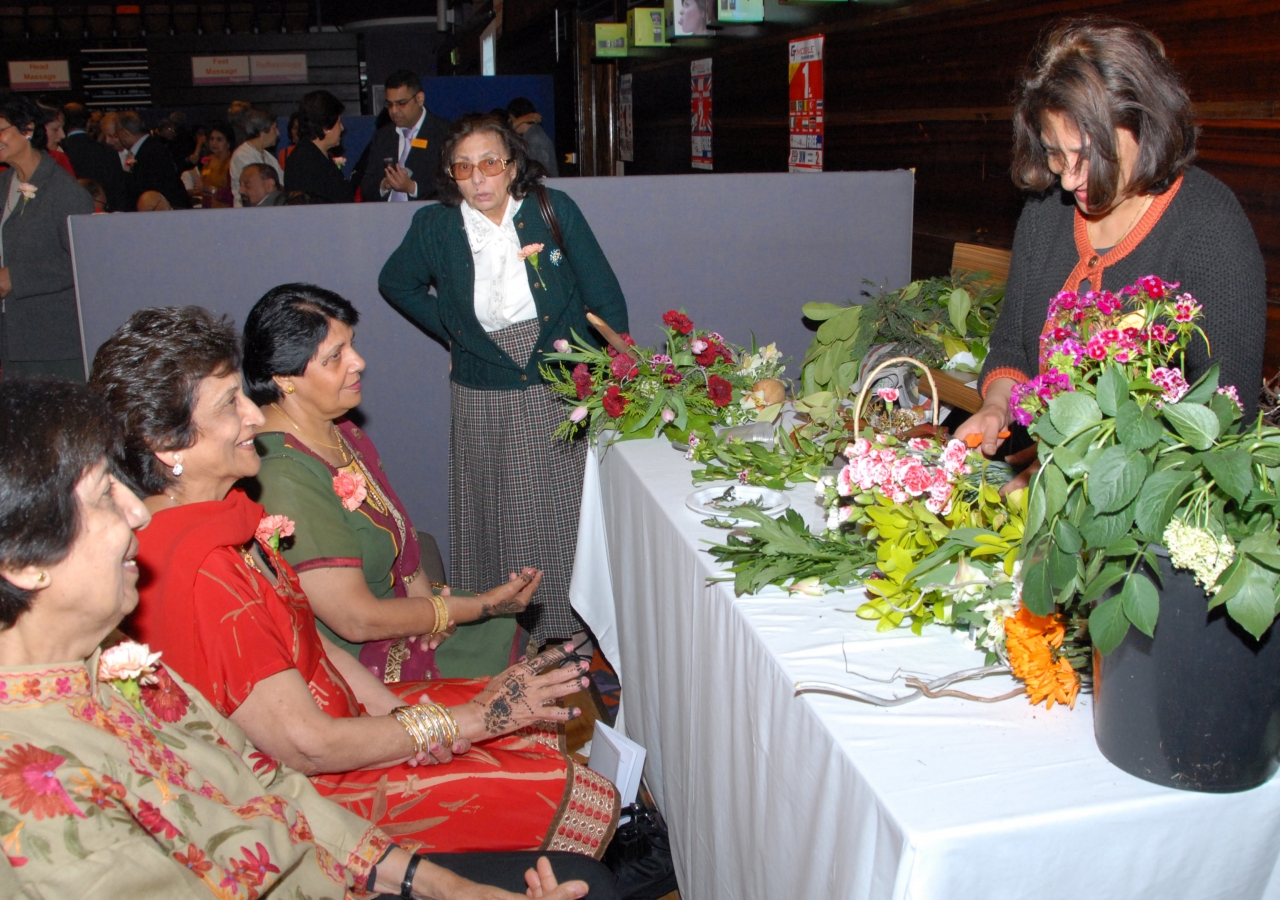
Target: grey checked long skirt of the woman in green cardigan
<point x="515" y="491"/>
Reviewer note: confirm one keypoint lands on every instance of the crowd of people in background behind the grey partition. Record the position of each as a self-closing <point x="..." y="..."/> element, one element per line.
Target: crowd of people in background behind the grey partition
<point x="241" y="161"/>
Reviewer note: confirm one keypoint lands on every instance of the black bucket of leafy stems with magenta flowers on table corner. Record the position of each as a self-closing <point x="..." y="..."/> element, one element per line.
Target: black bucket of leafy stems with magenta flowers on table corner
<point x="1155" y="517"/>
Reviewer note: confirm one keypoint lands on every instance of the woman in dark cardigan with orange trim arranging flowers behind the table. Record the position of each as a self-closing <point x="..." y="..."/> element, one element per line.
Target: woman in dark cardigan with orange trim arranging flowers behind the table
<point x="1103" y="116"/>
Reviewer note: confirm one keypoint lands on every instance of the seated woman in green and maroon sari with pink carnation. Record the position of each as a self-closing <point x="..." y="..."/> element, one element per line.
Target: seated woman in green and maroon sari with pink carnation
<point x="359" y="555"/>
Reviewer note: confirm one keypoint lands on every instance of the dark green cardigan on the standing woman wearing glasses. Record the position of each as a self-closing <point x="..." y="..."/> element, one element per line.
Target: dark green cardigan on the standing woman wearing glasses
<point x="436" y="253"/>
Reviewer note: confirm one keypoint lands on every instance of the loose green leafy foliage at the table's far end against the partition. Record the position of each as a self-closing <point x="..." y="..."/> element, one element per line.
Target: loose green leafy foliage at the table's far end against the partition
<point x="932" y="319"/>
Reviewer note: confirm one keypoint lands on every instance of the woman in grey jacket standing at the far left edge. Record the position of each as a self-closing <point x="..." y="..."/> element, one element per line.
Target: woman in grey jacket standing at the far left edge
<point x="39" y="323"/>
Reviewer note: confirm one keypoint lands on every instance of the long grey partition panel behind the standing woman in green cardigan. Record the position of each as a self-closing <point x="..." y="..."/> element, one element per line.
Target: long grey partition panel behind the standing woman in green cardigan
<point x="739" y="253"/>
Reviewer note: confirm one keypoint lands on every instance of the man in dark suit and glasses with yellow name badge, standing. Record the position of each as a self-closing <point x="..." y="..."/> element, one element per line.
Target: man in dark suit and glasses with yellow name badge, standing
<point x="405" y="156"/>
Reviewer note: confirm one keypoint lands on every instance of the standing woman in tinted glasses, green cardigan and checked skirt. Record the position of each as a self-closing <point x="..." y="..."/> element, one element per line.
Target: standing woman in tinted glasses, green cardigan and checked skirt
<point x="515" y="490"/>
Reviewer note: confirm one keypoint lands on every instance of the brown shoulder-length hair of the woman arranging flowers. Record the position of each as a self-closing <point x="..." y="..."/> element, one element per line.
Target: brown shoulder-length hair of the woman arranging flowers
<point x="1103" y="75"/>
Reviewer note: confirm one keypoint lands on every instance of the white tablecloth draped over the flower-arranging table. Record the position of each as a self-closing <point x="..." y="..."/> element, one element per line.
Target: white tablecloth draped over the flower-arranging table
<point x="774" y="796"/>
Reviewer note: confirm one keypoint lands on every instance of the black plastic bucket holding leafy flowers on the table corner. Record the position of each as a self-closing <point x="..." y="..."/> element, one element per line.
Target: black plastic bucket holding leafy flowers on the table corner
<point x="1197" y="707"/>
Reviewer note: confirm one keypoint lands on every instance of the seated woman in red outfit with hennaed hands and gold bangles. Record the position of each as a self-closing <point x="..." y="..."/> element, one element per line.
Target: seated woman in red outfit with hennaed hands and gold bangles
<point x="228" y="613"/>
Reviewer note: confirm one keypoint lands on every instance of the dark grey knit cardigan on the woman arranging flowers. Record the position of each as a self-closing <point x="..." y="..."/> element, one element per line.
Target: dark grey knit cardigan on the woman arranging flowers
<point x="1204" y="241"/>
